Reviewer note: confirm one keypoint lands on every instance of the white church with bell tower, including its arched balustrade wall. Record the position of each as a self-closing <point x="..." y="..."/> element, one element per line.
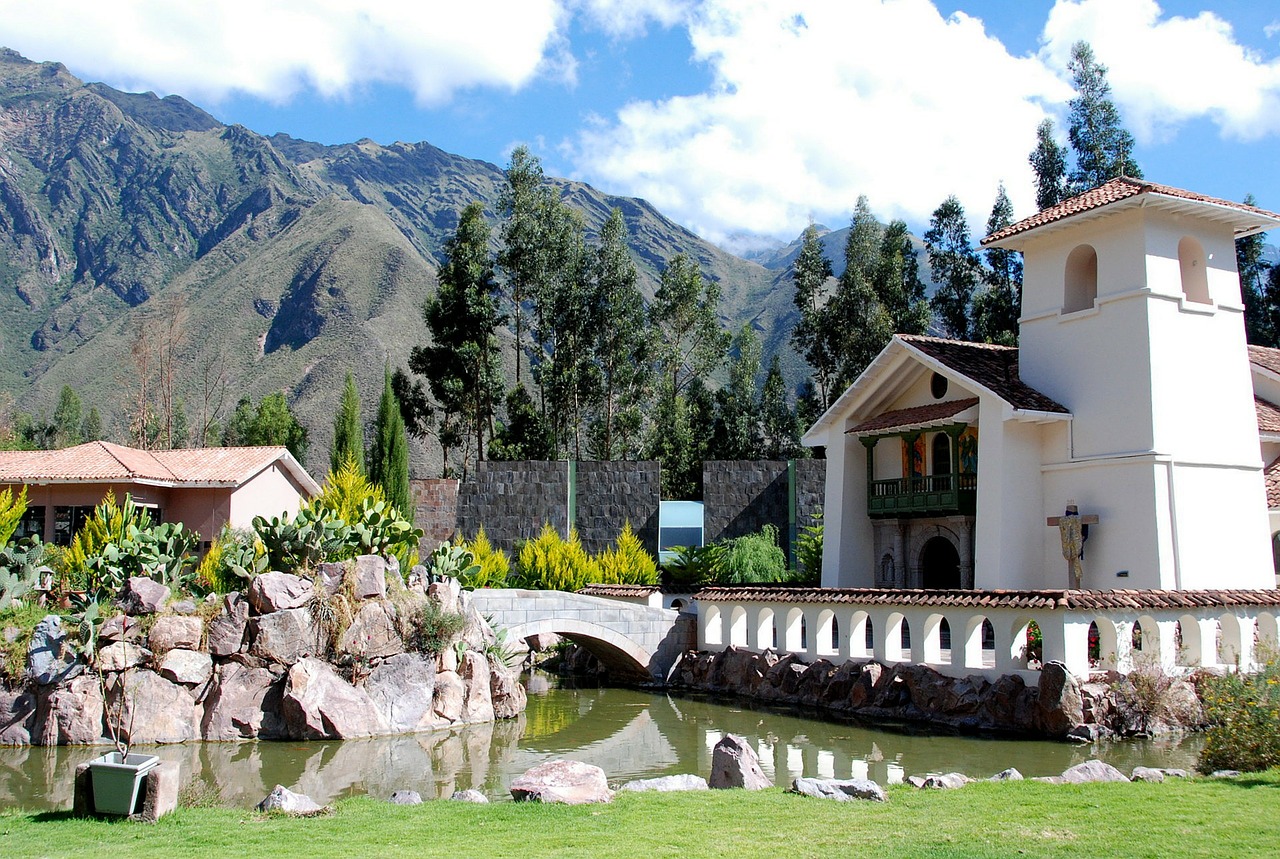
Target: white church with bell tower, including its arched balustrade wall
<point x="1109" y="488"/>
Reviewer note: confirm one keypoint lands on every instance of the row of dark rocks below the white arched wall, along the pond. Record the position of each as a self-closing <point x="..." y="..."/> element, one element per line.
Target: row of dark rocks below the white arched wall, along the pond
<point x="1059" y="706"/>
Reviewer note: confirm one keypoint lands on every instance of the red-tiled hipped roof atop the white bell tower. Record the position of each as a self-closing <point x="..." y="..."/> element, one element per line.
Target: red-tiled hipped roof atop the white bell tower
<point x="1124" y="193"/>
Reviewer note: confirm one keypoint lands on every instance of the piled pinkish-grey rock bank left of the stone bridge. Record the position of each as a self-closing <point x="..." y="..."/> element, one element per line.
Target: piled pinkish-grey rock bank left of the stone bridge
<point x="259" y="670"/>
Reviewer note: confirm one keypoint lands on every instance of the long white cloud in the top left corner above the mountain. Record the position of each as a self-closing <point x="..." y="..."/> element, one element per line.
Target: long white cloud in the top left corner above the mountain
<point x="273" y="49"/>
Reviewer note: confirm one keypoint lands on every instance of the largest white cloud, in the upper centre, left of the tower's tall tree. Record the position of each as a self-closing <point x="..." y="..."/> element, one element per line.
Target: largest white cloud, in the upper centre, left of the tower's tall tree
<point x="819" y="102"/>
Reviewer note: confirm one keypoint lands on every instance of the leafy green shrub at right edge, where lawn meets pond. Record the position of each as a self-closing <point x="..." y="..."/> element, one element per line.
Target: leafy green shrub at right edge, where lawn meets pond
<point x="1245" y="720"/>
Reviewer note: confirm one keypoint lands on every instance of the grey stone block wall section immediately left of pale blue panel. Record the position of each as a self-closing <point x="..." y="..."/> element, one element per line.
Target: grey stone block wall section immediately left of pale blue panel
<point x="612" y="494"/>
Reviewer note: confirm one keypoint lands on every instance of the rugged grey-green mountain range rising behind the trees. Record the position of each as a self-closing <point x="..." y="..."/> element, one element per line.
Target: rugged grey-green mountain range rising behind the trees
<point x="141" y="231"/>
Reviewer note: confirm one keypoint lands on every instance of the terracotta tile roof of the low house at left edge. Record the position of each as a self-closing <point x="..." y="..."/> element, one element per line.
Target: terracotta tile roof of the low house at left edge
<point x="108" y="463"/>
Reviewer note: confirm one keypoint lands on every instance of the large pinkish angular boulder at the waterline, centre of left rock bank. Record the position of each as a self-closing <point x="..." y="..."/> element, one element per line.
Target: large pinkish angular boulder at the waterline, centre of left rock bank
<point x="318" y="705"/>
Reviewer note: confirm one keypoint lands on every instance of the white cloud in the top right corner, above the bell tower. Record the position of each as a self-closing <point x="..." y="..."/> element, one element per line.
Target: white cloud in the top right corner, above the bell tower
<point x="1169" y="70"/>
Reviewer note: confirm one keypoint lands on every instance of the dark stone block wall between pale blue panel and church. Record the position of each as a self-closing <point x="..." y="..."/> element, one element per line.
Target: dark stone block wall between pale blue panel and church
<point x="742" y="497"/>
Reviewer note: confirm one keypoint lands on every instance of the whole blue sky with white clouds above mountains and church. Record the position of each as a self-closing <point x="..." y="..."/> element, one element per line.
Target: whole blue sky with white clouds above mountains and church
<point x="738" y="118"/>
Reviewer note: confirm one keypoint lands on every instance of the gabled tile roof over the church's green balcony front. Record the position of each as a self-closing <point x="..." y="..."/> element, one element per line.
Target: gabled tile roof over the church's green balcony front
<point x="984" y="368"/>
